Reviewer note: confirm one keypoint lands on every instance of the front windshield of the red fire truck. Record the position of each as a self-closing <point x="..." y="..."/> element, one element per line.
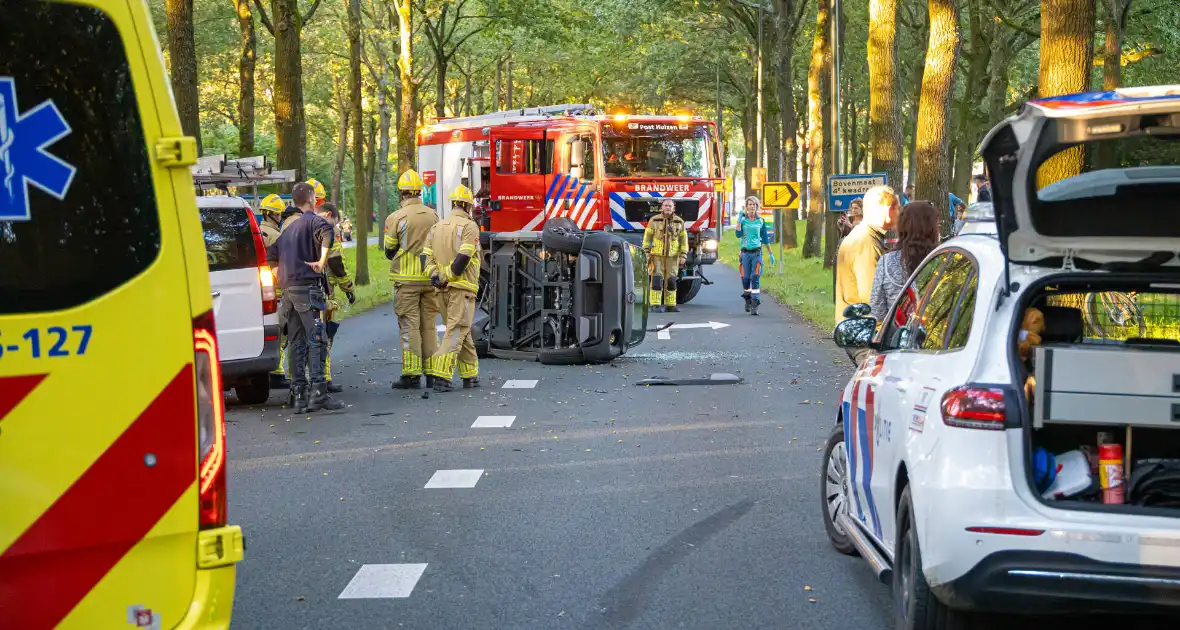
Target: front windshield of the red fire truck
<point x="657" y="150"/>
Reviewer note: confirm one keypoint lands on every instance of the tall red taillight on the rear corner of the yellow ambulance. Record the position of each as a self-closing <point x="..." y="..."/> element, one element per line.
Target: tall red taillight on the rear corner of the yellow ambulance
<point x="211" y="423"/>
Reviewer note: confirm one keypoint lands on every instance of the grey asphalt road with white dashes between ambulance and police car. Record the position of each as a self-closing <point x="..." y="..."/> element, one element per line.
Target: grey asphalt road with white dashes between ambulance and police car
<point x="604" y="504"/>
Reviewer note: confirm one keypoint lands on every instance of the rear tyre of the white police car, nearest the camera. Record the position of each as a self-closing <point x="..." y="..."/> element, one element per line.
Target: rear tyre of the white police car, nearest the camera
<point x="916" y="607"/>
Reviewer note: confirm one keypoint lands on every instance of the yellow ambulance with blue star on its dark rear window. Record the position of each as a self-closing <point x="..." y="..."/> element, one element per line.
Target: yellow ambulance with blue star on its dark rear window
<point x="113" y="438"/>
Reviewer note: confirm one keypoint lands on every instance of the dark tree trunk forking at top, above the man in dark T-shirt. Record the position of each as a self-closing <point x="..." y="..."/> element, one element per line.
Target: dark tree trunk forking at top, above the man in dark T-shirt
<point x="291" y="126"/>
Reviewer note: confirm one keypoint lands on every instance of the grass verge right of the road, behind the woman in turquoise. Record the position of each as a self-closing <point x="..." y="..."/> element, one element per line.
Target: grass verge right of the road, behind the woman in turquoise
<point x="802" y="284"/>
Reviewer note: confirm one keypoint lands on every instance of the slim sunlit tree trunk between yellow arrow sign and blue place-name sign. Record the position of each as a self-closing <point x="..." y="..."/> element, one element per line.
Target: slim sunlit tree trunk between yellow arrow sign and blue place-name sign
<point x="818" y="80"/>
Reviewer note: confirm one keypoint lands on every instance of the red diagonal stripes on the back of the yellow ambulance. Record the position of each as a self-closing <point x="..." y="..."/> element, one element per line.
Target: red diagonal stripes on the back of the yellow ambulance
<point x="104" y="514"/>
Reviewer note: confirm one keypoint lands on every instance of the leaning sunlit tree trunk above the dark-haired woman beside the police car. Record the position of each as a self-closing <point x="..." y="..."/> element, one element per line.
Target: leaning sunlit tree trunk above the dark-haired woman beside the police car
<point x="938" y="87"/>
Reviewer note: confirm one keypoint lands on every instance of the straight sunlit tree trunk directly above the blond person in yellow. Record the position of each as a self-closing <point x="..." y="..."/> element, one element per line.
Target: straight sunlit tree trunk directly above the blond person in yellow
<point x="884" y="101"/>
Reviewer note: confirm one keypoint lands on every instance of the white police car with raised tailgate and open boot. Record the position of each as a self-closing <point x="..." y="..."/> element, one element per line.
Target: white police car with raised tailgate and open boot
<point x="963" y="467"/>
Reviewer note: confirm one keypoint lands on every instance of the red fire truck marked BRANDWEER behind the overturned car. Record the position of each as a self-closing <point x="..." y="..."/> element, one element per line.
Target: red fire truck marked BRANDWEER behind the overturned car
<point x="601" y="173"/>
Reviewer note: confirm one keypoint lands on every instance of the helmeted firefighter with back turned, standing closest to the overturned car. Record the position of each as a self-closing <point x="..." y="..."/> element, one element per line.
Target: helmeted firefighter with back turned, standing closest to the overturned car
<point x="453" y="264"/>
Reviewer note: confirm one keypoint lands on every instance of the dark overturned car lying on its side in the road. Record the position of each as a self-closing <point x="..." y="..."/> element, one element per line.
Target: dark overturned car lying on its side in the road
<point x="560" y="297"/>
